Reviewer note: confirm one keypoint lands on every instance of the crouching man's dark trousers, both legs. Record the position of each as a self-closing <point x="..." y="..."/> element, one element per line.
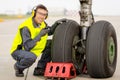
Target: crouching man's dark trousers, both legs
<point x="25" y="58"/>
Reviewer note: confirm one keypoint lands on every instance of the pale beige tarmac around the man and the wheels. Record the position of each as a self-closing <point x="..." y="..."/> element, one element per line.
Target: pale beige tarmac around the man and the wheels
<point x="8" y="29"/>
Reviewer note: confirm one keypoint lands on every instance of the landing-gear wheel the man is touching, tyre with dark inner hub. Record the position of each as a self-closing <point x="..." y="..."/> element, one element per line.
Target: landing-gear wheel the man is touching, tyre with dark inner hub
<point x="66" y="35"/>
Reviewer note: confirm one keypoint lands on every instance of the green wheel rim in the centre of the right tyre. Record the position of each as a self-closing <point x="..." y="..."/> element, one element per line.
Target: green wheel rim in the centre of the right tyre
<point x="111" y="50"/>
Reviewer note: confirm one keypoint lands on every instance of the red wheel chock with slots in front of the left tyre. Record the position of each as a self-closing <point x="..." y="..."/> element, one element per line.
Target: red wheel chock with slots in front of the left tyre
<point x="60" y="70"/>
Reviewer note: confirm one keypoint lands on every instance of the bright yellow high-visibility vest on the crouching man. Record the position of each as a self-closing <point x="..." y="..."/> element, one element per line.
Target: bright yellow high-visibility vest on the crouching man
<point x="40" y="45"/>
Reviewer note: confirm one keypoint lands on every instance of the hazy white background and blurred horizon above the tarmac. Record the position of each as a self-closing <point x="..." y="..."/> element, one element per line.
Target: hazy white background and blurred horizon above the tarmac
<point x="22" y="8"/>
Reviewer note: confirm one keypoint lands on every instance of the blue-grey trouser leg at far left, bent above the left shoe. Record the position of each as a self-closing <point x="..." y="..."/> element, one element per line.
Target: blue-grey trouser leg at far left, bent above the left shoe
<point x="24" y="59"/>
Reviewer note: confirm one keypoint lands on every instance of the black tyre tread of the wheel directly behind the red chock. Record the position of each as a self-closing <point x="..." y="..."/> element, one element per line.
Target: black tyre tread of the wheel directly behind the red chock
<point x="63" y="40"/>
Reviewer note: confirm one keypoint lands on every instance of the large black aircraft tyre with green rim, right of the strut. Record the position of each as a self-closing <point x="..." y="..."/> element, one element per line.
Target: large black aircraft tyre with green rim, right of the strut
<point x="101" y="45"/>
